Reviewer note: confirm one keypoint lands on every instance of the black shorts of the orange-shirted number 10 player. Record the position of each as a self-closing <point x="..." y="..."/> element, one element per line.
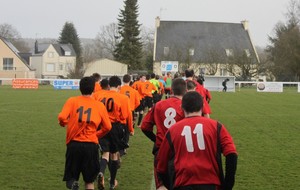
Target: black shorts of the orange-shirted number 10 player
<point x="115" y="139"/>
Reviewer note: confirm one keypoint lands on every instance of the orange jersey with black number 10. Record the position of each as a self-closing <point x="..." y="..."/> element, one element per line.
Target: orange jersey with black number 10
<point x="117" y="106"/>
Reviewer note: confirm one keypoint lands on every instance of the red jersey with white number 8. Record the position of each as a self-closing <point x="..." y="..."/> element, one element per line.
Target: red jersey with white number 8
<point x="164" y="114"/>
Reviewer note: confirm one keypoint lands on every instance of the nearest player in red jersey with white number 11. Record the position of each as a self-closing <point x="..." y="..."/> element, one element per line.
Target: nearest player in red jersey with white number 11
<point x="192" y="150"/>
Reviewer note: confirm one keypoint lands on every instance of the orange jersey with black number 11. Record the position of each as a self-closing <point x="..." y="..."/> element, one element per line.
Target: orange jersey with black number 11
<point x="83" y="115"/>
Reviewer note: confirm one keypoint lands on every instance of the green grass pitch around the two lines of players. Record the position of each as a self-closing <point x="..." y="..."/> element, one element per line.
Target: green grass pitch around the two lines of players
<point x="265" y="128"/>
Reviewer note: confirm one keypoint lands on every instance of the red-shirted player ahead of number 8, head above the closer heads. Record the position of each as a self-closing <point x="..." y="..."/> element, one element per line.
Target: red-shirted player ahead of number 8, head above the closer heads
<point x="189" y="74"/>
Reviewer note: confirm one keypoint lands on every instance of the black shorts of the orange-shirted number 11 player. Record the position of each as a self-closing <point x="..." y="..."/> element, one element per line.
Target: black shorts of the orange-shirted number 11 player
<point x="82" y="157"/>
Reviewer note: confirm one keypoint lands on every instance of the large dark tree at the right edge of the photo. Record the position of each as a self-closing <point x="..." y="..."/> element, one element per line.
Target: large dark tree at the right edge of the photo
<point x="284" y="50"/>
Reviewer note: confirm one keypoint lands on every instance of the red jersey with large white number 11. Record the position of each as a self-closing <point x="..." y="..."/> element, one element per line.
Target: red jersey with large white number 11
<point x="193" y="143"/>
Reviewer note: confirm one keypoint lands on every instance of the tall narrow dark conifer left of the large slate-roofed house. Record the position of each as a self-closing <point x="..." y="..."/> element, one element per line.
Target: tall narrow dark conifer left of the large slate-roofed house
<point x="129" y="48"/>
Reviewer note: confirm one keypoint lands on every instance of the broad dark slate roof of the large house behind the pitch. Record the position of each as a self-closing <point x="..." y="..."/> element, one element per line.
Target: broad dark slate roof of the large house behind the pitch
<point x="203" y="37"/>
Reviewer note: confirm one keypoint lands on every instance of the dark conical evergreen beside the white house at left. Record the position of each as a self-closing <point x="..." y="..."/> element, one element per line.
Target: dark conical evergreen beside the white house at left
<point x="69" y="35"/>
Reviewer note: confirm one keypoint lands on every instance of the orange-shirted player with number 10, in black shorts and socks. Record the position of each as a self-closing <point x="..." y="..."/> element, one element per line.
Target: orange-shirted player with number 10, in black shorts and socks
<point x="118" y="108"/>
